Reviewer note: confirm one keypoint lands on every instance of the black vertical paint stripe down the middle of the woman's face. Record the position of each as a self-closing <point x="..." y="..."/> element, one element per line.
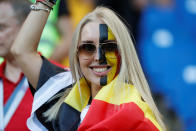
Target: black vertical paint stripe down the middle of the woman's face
<point x="103" y="29"/>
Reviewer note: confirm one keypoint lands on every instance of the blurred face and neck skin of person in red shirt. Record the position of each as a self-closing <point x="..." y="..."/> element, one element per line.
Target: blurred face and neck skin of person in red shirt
<point x="9" y="27"/>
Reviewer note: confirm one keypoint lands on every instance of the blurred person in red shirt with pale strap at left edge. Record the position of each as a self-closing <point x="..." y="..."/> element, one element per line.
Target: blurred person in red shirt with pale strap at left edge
<point x="15" y="95"/>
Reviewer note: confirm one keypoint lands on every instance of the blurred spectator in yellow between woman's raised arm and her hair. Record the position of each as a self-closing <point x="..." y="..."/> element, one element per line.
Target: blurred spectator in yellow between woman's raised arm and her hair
<point x="77" y="10"/>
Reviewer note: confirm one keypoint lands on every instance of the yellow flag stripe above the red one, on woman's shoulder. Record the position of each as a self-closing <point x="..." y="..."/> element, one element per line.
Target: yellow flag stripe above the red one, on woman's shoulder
<point x="126" y="94"/>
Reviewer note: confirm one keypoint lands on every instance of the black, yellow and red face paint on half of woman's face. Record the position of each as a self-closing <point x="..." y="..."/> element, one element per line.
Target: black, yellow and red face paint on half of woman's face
<point x="110" y="58"/>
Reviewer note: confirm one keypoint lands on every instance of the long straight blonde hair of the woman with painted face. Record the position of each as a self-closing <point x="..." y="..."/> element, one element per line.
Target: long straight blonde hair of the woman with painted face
<point x="131" y="71"/>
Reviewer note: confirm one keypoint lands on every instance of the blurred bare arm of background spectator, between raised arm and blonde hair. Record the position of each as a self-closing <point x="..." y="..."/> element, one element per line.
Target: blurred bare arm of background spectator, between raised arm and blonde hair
<point x="65" y="28"/>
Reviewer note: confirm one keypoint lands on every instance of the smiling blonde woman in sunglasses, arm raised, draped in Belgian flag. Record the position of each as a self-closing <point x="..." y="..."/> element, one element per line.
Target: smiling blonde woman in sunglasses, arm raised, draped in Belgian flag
<point x="108" y="89"/>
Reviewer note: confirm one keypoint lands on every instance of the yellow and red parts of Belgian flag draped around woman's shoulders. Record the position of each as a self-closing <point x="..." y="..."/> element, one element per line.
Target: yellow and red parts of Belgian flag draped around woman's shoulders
<point x="110" y="112"/>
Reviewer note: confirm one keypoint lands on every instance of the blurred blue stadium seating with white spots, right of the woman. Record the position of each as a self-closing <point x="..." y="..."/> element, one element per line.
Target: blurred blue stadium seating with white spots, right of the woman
<point x="167" y="52"/>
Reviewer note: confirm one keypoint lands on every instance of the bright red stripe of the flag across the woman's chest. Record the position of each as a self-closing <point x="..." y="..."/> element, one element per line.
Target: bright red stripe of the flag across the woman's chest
<point x="103" y="116"/>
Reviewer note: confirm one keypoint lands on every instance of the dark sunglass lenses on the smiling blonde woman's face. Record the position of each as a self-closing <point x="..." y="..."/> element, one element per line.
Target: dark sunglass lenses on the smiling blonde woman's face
<point x="91" y="48"/>
